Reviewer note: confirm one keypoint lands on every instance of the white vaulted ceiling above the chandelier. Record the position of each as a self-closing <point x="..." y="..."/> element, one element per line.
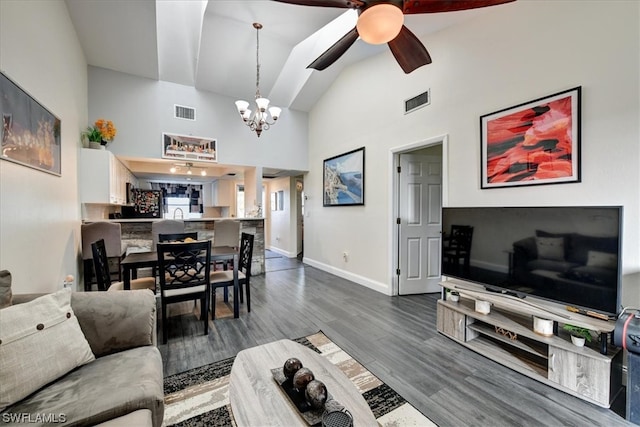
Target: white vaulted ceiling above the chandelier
<point x="211" y="45"/>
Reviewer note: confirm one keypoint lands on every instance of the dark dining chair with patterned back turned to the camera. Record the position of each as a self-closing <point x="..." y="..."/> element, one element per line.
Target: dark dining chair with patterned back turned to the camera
<point x="184" y="271"/>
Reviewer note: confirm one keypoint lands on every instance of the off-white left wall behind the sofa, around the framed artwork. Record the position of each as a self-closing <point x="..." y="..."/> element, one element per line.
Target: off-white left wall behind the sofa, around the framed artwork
<point x="39" y="223"/>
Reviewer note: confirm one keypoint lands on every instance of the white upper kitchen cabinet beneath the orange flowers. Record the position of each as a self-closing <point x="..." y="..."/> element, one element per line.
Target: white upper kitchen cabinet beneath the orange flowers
<point x="103" y="178"/>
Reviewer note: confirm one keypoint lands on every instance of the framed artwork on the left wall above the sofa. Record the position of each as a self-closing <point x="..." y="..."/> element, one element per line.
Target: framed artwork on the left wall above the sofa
<point x="30" y="133"/>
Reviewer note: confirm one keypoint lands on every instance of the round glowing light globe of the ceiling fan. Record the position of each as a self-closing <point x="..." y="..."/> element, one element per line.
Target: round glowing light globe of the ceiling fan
<point x="380" y="23"/>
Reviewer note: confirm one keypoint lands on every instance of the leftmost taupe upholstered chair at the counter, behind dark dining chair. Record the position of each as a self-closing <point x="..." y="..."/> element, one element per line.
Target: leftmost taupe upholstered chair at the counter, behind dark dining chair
<point x="111" y="233"/>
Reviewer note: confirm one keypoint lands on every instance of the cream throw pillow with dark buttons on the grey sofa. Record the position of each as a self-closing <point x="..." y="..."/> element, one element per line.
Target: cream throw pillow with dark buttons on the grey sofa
<point x="40" y="341"/>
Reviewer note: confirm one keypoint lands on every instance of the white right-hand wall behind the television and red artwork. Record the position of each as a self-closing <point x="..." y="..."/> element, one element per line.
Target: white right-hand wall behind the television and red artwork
<point x="511" y="54"/>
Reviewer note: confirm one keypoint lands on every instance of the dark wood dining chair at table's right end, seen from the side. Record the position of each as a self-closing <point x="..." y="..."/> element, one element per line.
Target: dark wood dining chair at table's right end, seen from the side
<point x="224" y="278"/>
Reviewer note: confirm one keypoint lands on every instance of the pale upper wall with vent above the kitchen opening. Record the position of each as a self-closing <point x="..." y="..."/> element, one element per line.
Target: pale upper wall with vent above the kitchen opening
<point x="142" y="109"/>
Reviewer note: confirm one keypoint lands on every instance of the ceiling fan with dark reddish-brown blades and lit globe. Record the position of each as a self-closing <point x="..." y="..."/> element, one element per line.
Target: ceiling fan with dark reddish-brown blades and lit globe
<point x="383" y="22"/>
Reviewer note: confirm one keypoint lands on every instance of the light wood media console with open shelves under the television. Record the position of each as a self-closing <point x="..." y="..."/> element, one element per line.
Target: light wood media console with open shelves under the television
<point x="506" y="336"/>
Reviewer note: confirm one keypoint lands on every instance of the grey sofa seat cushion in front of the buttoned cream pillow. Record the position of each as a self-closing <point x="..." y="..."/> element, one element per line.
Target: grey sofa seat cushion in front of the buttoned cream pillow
<point x="109" y="387"/>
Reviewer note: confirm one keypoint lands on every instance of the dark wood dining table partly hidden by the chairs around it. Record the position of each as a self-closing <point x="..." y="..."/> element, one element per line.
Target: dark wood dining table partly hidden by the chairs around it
<point x="133" y="261"/>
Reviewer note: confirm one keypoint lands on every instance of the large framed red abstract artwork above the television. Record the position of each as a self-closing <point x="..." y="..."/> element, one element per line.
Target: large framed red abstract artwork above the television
<point x="537" y="142"/>
